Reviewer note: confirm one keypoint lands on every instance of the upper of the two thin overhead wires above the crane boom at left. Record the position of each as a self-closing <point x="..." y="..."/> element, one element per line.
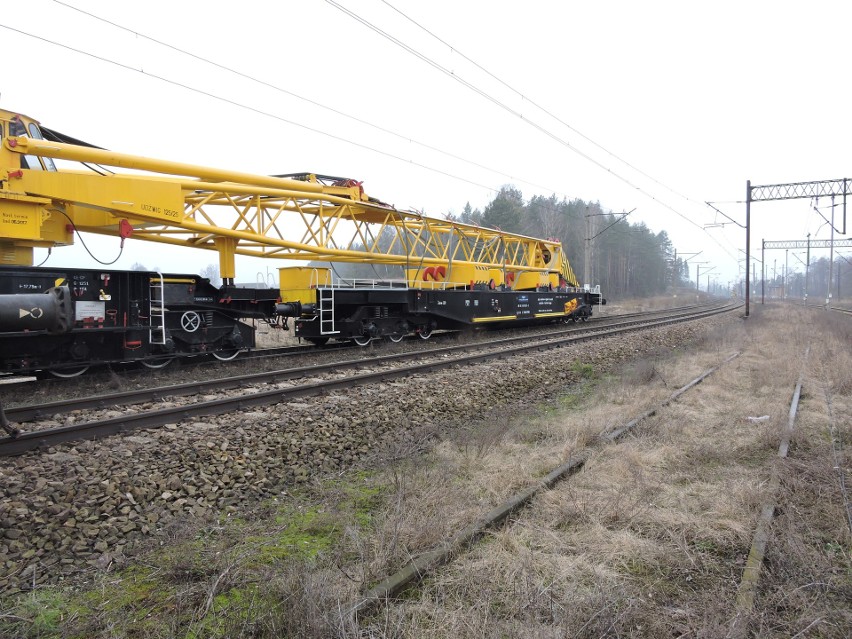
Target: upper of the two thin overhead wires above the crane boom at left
<point x="310" y="101"/>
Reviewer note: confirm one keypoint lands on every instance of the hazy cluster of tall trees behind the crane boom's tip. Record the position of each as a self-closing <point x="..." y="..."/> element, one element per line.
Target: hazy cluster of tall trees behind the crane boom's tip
<point x="626" y="259"/>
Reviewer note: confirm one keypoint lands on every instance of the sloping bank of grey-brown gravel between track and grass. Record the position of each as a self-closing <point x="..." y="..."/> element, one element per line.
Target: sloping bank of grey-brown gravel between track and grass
<point x="73" y="509"/>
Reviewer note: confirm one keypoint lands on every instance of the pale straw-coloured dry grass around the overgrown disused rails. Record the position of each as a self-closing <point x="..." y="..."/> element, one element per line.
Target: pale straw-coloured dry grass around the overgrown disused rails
<point x="650" y="540"/>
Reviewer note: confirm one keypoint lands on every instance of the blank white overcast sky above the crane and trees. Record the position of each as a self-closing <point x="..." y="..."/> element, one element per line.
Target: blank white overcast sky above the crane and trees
<point x="701" y="96"/>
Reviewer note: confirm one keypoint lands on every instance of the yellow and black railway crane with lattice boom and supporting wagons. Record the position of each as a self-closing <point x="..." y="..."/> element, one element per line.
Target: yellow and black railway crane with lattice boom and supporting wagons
<point x="450" y="276"/>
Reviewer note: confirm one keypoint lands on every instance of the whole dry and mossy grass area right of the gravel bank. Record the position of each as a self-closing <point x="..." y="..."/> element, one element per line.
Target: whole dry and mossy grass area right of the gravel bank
<point x="648" y="540"/>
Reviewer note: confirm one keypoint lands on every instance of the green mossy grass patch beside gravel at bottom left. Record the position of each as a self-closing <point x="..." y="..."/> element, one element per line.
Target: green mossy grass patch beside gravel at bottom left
<point x="210" y="584"/>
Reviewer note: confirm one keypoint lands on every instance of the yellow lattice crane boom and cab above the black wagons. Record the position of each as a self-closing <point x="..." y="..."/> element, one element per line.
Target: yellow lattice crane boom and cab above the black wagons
<point x="305" y="217"/>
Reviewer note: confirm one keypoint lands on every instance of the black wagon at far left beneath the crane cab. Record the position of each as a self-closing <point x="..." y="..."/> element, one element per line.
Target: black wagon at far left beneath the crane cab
<point x="65" y="320"/>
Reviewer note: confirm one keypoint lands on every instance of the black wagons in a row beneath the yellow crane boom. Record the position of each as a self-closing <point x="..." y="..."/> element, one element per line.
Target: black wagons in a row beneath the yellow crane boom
<point x="65" y="320"/>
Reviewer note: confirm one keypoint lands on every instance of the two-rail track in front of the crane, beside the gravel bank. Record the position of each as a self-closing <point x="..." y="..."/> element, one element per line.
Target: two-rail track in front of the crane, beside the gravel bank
<point x="322" y="378"/>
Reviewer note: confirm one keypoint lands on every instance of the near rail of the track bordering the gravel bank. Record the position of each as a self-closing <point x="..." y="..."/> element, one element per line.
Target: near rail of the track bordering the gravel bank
<point x="93" y="430"/>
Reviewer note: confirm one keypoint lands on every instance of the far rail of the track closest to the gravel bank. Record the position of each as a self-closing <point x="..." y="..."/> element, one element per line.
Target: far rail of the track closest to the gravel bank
<point x="22" y="414"/>
